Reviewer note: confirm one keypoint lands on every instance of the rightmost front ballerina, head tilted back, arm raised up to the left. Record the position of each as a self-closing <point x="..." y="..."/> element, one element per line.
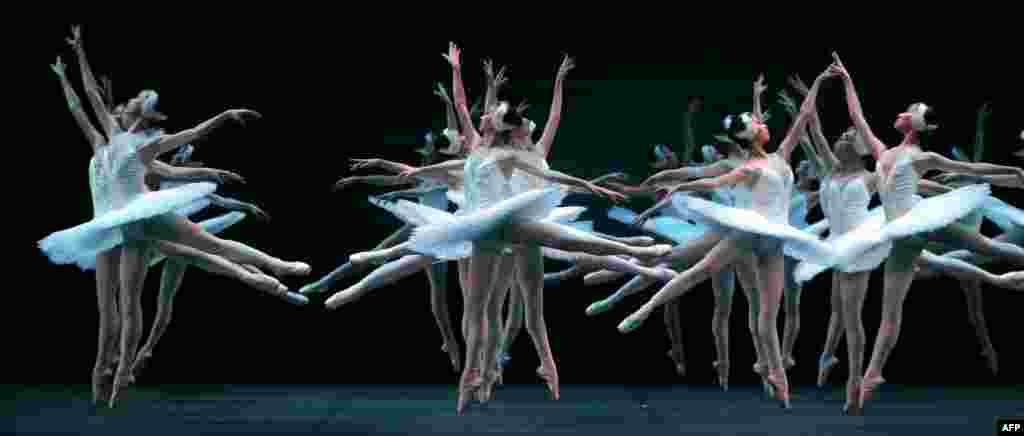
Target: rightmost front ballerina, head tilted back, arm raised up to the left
<point x="899" y="172"/>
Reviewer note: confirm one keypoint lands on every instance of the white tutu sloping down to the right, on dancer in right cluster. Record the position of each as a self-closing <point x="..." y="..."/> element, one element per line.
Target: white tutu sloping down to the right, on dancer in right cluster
<point x="801" y="245"/>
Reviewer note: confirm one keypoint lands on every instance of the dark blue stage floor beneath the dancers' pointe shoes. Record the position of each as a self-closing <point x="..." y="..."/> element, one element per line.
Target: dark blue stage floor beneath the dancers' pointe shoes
<point x="612" y="410"/>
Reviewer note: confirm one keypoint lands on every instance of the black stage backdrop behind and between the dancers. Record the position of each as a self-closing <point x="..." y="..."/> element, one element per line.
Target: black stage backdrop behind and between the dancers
<point x="322" y="97"/>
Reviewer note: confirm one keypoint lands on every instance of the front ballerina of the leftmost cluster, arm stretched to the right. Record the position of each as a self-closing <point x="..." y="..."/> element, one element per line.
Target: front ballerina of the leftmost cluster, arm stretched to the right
<point x="139" y="220"/>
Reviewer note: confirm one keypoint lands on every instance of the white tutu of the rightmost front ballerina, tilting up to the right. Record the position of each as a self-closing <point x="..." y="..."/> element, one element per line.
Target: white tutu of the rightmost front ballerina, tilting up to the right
<point x="927" y="215"/>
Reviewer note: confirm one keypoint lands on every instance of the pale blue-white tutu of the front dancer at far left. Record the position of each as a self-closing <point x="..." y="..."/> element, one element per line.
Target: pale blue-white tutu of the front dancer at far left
<point x="81" y="244"/>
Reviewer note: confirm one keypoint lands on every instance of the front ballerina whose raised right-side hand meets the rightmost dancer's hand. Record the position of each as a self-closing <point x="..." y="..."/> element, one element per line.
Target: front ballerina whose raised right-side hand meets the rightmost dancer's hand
<point x="763" y="230"/>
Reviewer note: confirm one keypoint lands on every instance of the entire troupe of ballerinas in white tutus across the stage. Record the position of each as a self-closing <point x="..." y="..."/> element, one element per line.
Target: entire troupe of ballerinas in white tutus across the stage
<point x="739" y="213"/>
